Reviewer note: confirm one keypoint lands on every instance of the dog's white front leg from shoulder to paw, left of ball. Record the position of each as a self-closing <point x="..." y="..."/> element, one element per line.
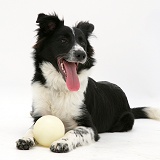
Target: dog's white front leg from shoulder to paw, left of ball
<point x="41" y="106"/>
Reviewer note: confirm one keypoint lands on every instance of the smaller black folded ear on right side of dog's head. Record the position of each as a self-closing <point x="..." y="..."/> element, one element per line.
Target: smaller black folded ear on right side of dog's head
<point x="86" y="27"/>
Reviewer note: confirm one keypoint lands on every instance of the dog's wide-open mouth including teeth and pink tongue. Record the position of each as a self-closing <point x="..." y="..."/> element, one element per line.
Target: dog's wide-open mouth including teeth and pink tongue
<point x="69" y="73"/>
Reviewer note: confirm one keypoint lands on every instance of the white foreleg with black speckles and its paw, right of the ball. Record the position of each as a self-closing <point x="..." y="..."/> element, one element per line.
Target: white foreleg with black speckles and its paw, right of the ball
<point x="74" y="138"/>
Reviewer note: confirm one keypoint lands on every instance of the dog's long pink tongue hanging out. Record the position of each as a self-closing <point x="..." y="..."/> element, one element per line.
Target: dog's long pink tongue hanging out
<point x="72" y="80"/>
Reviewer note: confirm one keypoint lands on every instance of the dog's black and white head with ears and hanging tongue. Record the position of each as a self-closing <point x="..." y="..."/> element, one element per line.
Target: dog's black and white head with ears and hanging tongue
<point x="66" y="48"/>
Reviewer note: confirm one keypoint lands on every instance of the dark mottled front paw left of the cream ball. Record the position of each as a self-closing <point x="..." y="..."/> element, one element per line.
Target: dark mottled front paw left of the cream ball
<point x="25" y="144"/>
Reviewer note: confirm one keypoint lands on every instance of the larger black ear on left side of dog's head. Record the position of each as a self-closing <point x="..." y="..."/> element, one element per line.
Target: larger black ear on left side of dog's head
<point x="48" y="23"/>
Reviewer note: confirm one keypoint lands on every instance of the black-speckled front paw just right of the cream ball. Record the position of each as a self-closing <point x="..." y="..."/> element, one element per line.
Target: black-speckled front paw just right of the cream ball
<point x="61" y="146"/>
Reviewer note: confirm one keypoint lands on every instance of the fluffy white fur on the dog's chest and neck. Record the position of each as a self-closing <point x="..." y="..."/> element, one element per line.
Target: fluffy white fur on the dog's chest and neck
<point x="55" y="98"/>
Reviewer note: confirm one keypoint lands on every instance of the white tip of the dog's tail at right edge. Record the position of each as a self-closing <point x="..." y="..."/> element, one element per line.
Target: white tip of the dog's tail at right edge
<point x="153" y="113"/>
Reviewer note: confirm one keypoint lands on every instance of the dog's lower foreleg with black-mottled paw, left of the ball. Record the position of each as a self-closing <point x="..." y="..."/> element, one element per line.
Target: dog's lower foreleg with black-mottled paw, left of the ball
<point x="27" y="141"/>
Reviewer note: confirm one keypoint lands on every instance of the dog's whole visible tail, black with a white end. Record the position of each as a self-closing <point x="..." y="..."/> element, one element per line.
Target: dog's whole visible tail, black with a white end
<point x="146" y="112"/>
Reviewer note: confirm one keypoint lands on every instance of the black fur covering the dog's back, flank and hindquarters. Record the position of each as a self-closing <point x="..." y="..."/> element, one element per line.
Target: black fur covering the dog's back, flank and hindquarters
<point x="108" y="106"/>
